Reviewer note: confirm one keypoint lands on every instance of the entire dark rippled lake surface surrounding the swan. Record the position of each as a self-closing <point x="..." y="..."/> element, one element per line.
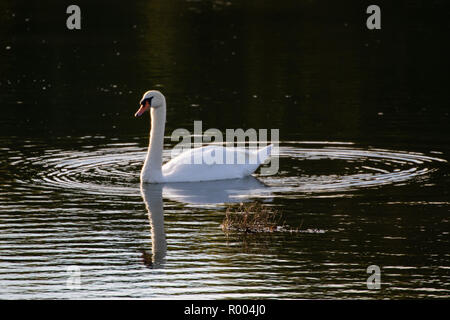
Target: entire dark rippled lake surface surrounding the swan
<point x="364" y="147"/>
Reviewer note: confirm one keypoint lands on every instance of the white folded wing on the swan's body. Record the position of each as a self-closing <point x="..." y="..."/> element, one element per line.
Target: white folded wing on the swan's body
<point x="212" y="163"/>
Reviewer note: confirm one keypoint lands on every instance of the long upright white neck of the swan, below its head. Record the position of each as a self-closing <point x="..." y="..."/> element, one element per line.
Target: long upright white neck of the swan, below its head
<point x="151" y="171"/>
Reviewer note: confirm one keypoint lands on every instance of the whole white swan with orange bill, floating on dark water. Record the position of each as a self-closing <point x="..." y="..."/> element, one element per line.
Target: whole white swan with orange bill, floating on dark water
<point x="185" y="167"/>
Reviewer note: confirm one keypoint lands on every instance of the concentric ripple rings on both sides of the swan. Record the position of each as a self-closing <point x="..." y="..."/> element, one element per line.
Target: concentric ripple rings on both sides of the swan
<point x="114" y="169"/>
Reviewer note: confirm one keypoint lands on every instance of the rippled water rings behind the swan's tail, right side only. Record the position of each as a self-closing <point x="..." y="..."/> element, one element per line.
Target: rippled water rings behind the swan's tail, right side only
<point x="347" y="168"/>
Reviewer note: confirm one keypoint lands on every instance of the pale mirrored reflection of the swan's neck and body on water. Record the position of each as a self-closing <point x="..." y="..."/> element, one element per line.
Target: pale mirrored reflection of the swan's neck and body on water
<point x="209" y="192"/>
